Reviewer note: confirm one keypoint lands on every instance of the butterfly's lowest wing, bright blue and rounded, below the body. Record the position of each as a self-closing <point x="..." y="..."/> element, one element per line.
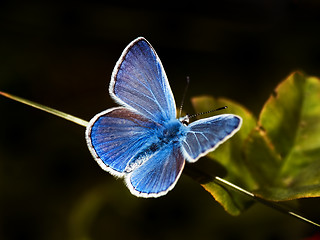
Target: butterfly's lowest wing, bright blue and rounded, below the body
<point x="157" y="175"/>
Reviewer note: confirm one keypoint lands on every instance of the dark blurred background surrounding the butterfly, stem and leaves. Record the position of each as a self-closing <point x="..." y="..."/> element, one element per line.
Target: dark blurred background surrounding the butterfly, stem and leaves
<point x="62" y="55"/>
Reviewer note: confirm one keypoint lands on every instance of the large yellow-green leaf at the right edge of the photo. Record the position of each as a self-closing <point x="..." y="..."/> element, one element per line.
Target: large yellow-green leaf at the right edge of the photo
<point x="283" y="153"/>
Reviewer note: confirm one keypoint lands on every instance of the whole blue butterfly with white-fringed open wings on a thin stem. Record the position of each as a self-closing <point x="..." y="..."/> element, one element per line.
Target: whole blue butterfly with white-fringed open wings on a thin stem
<point x="142" y="141"/>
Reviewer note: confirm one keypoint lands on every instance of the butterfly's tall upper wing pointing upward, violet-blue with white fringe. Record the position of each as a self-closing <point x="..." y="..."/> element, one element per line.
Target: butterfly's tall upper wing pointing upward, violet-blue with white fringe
<point x="139" y="81"/>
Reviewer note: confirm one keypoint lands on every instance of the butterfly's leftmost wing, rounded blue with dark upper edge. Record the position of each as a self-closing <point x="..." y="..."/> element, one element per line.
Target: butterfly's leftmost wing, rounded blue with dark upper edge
<point x="115" y="136"/>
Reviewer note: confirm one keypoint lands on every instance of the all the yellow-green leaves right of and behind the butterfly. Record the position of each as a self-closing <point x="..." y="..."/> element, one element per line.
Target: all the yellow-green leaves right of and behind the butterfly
<point x="276" y="157"/>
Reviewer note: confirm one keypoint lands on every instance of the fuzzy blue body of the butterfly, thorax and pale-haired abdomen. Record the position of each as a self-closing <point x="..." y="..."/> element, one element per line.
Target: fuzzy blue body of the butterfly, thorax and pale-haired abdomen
<point x="169" y="134"/>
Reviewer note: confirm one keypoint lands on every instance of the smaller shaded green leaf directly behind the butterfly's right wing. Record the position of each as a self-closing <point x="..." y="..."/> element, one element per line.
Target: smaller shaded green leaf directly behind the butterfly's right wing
<point x="228" y="156"/>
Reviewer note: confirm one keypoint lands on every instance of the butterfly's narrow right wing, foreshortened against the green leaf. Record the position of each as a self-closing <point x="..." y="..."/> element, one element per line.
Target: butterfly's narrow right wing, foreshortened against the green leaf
<point x="205" y="135"/>
